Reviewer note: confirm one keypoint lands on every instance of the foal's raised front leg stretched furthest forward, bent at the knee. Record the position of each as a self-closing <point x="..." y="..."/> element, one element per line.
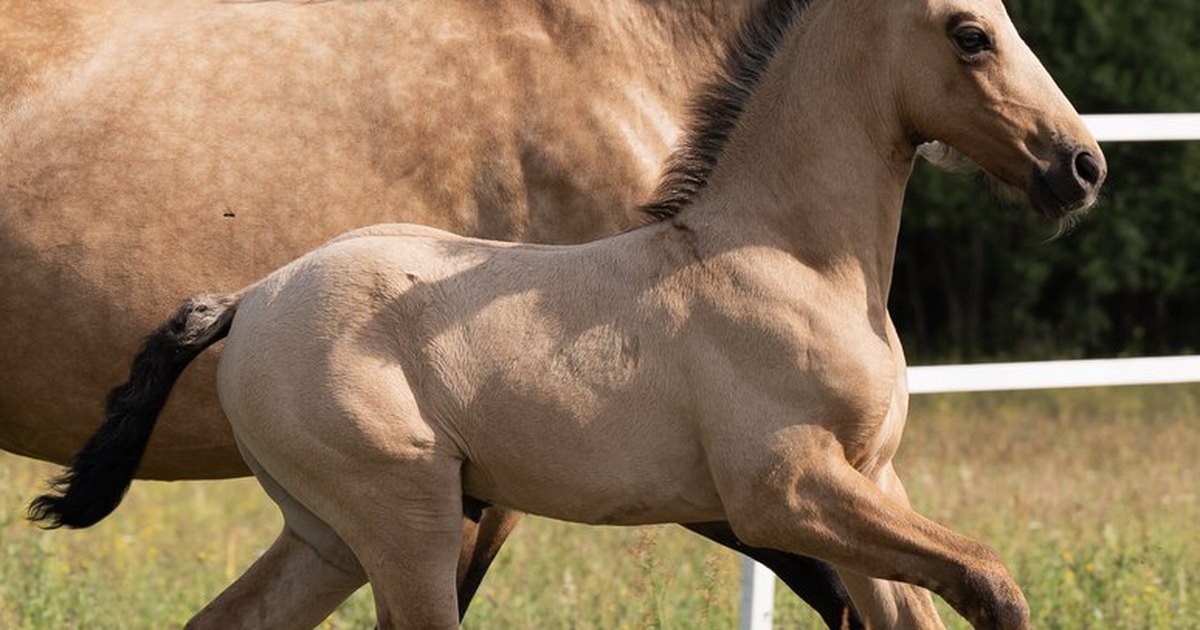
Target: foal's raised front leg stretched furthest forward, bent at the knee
<point x="802" y="496"/>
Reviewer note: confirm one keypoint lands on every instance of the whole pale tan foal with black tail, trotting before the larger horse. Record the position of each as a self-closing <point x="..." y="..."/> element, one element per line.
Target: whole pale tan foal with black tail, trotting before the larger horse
<point x="731" y="362"/>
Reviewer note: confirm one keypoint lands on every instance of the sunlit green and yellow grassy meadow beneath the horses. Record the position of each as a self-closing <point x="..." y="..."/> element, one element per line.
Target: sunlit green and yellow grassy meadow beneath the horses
<point x="1091" y="497"/>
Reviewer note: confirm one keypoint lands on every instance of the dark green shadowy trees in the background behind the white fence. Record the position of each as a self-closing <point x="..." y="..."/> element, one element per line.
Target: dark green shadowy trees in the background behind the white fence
<point x="976" y="279"/>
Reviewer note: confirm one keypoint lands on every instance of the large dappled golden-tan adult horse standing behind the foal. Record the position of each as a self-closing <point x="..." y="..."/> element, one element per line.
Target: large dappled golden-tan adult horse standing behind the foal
<point x="157" y="149"/>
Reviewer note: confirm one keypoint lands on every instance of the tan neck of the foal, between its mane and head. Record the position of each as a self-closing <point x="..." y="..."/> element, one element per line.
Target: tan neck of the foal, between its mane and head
<point x="818" y="165"/>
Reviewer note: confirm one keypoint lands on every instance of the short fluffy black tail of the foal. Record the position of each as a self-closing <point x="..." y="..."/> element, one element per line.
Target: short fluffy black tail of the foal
<point x="103" y="472"/>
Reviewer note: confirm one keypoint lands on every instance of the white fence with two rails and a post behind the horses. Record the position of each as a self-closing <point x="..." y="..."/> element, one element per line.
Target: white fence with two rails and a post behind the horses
<point x="758" y="581"/>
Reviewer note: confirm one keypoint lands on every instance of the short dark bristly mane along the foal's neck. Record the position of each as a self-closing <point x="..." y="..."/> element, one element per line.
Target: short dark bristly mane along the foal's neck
<point x="716" y="110"/>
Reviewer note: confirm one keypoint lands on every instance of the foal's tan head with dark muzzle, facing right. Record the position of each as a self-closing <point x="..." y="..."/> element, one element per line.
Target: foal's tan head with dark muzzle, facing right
<point x="964" y="77"/>
